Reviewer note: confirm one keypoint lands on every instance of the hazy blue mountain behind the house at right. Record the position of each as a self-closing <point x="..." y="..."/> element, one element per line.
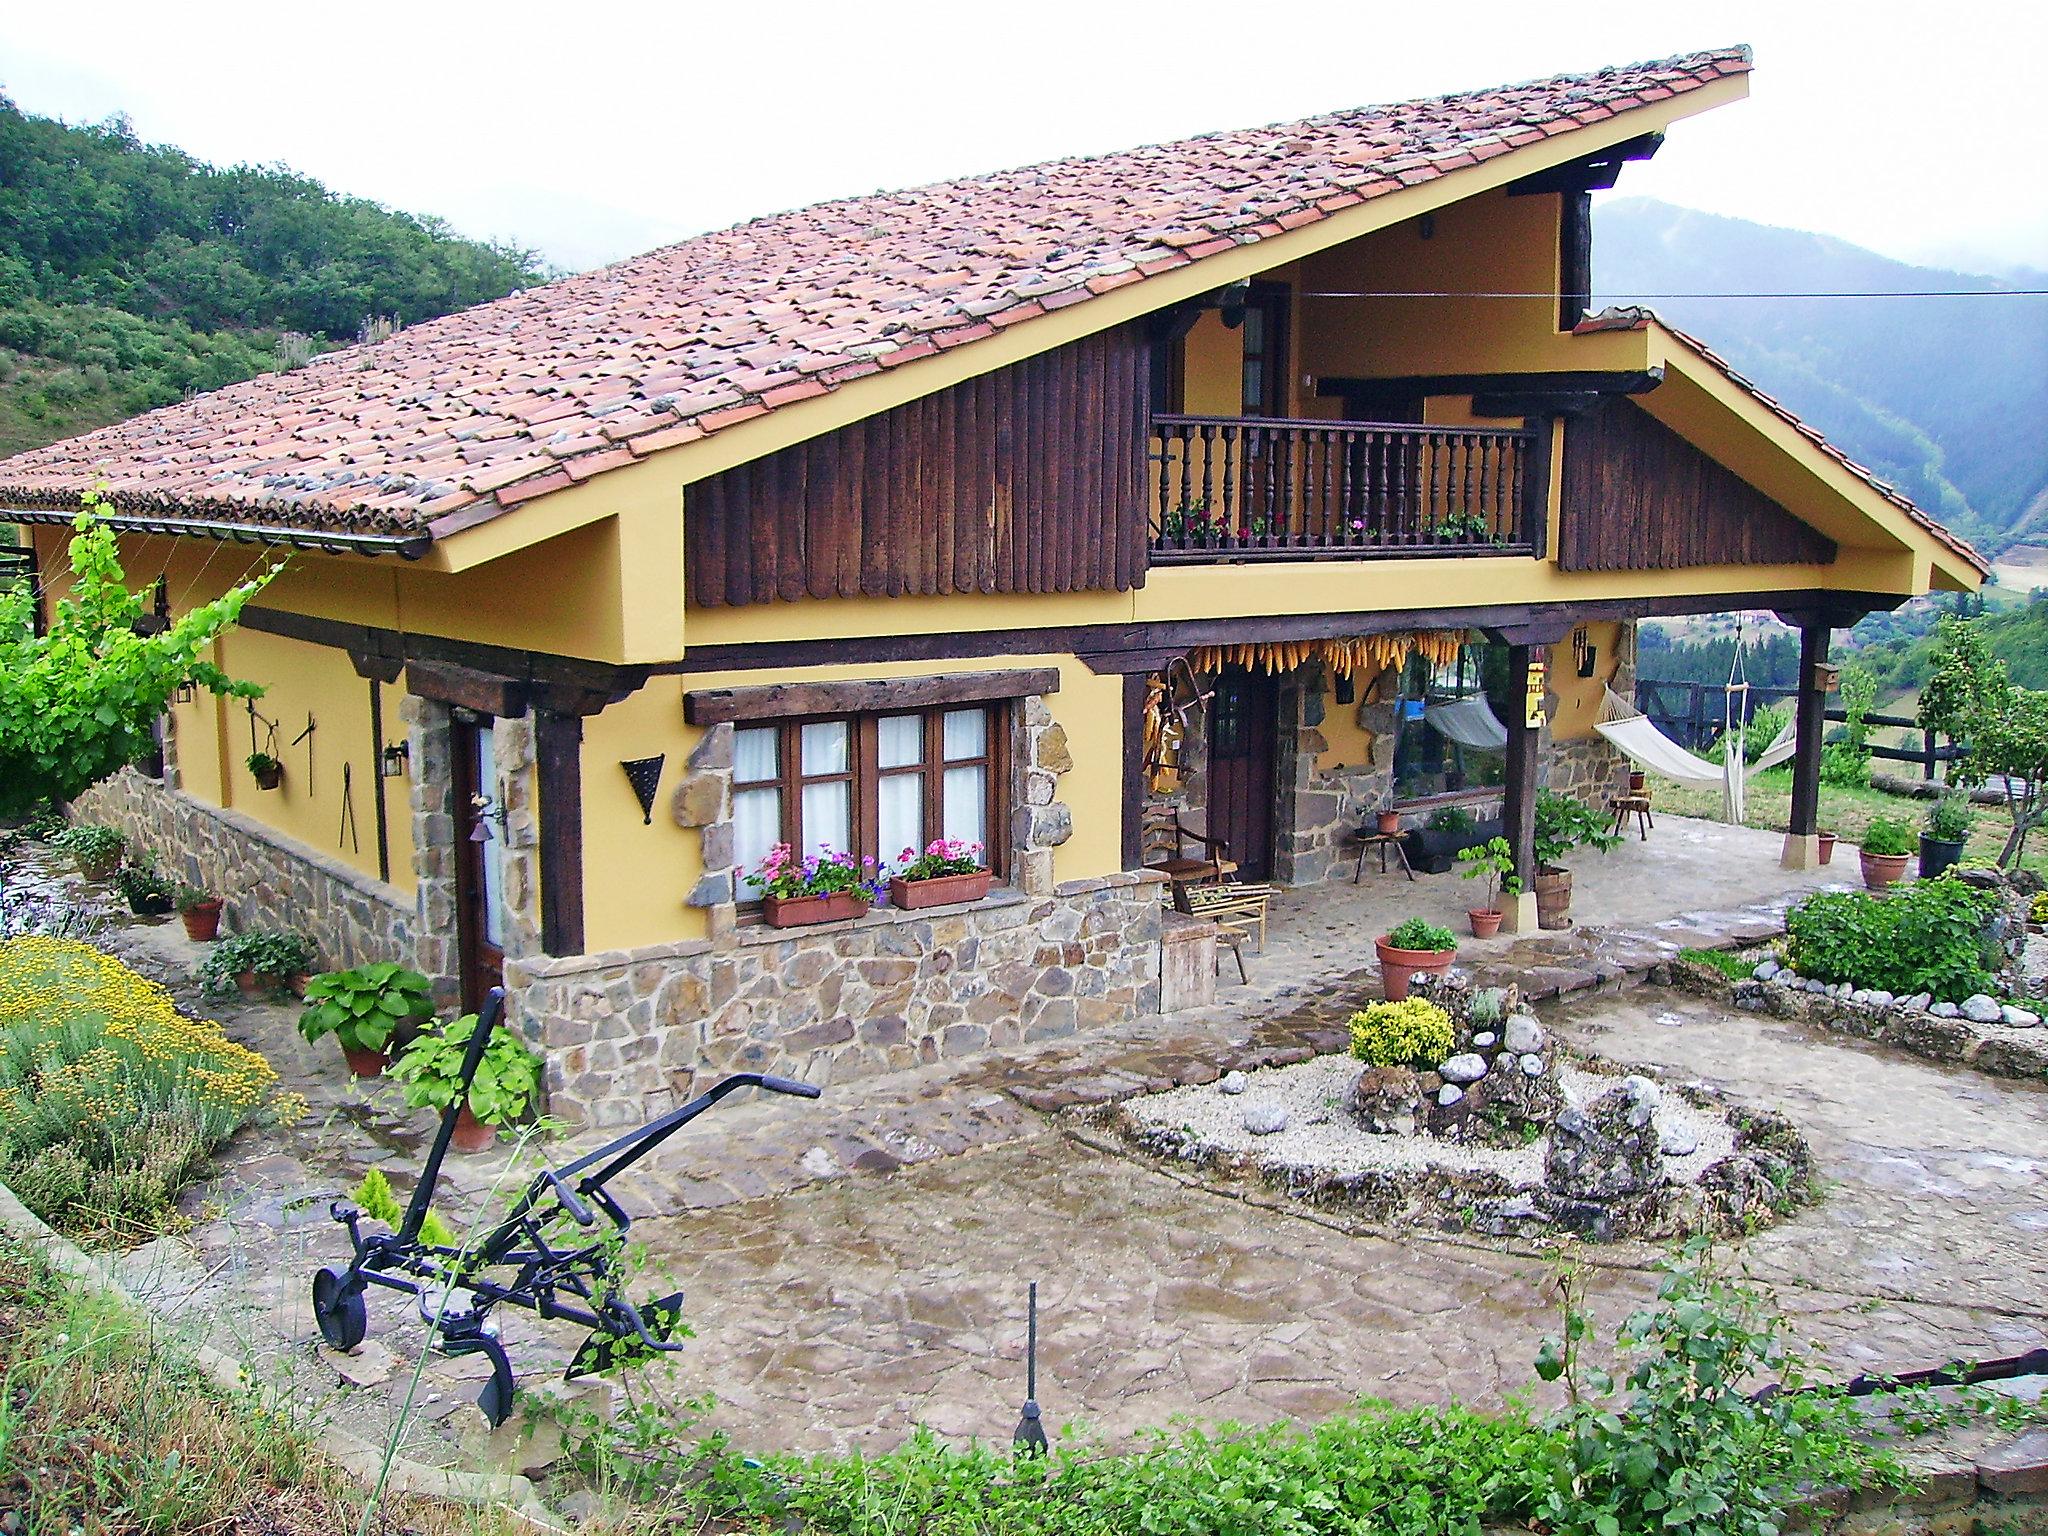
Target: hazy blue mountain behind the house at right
<point x="1945" y="398"/>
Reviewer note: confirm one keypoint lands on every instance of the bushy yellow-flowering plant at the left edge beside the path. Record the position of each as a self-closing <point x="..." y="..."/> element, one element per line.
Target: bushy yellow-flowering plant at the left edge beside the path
<point x="112" y="1101"/>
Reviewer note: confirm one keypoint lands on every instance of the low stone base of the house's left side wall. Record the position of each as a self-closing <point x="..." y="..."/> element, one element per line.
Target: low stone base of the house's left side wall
<point x="269" y="880"/>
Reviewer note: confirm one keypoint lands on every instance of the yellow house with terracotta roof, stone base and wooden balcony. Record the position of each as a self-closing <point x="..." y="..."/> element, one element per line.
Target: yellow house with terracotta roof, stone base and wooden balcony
<point x="921" y="515"/>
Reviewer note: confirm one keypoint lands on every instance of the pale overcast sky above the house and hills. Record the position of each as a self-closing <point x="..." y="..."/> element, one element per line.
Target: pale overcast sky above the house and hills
<point x="595" y="132"/>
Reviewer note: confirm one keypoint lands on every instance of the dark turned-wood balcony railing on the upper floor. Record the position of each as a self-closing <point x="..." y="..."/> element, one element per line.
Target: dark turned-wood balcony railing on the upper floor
<point x="1248" y="488"/>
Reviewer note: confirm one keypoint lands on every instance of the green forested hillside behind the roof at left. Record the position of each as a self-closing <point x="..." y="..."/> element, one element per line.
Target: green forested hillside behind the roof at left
<point x="134" y="275"/>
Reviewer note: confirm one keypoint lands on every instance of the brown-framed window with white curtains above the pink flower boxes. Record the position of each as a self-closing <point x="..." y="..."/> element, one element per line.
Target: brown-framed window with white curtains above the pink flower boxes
<point x="871" y="785"/>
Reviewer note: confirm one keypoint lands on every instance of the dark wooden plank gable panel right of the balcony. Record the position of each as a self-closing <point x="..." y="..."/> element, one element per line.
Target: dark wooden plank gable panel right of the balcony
<point x="1641" y="499"/>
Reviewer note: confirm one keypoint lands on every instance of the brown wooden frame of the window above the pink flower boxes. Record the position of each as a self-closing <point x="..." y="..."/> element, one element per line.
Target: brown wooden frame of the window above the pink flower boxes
<point x="865" y="775"/>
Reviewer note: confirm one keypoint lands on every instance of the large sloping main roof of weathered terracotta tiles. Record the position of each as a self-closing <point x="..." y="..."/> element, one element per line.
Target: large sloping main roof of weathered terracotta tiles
<point x="464" y="417"/>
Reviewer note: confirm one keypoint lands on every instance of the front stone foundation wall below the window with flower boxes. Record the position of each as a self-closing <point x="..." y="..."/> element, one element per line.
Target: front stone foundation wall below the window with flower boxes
<point x="634" y="1033"/>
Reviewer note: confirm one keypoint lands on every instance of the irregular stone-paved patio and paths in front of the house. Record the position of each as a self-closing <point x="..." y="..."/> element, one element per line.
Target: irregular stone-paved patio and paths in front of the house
<point x="859" y="1265"/>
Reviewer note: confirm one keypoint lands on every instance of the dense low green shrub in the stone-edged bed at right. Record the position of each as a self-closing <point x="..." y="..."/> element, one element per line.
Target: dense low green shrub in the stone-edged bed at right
<point x="1920" y="937"/>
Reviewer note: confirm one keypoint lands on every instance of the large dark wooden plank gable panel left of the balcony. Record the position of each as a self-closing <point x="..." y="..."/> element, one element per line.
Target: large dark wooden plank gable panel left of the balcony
<point x="1021" y="480"/>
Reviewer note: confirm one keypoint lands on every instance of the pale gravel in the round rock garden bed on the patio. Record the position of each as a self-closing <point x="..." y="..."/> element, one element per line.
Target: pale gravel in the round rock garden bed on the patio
<point x="1324" y="1138"/>
